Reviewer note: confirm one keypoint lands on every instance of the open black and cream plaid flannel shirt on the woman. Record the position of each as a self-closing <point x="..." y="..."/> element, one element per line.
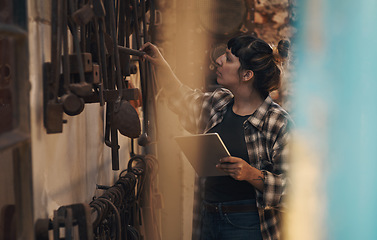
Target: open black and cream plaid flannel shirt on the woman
<point x="198" y="112"/>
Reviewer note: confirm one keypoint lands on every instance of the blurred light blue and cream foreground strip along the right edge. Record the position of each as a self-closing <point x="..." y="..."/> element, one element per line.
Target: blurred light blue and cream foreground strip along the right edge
<point x="334" y="150"/>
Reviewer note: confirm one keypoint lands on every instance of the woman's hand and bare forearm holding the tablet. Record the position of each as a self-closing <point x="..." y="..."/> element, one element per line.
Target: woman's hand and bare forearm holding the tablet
<point x="240" y="170"/>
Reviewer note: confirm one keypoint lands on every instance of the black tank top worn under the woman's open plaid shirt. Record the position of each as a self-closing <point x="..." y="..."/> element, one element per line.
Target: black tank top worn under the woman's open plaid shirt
<point x="226" y="188"/>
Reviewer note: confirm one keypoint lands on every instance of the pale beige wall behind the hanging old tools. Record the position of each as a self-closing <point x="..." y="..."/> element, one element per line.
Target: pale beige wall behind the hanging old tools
<point x="68" y="165"/>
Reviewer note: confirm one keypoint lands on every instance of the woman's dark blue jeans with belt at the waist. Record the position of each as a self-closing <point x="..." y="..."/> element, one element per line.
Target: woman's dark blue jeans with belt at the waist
<point x="231" y="226"/>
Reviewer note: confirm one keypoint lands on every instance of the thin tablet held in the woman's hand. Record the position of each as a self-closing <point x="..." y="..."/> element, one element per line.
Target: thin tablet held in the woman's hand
<point x="203" y="151"/>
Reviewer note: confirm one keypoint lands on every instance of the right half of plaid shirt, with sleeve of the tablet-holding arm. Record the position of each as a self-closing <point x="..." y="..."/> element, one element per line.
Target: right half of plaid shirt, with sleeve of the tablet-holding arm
<point x="270" y="154"/>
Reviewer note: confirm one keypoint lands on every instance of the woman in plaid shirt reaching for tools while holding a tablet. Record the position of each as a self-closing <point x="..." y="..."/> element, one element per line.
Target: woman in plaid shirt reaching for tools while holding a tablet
<point x="246" y="203"/>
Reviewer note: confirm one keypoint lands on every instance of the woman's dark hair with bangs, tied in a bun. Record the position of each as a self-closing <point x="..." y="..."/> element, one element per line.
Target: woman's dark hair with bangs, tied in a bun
<point x="256" y="55"/>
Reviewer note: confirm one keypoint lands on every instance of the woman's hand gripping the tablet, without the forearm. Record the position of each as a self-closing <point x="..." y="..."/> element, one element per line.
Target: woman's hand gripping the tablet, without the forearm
<point x="236" y="167"/>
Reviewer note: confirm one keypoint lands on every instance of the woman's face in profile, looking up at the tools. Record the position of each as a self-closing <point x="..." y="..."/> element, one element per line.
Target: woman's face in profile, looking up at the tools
<point x="227" y="70"/>
